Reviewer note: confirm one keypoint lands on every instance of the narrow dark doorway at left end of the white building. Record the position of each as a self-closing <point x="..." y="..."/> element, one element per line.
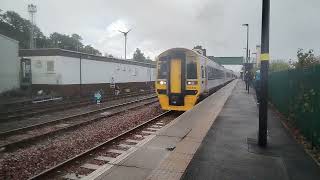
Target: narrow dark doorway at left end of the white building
<point x="25" y="73"/>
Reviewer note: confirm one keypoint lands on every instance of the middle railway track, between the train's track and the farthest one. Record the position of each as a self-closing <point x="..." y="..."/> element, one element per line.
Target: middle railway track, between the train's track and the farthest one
<point x="25" y="136"/>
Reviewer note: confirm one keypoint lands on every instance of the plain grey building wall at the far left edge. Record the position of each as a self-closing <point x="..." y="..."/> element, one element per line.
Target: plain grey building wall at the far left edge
<point x="9" y="68"/>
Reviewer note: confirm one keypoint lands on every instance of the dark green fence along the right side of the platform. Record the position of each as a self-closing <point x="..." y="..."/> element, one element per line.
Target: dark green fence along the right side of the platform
<point x="296" y="94"/>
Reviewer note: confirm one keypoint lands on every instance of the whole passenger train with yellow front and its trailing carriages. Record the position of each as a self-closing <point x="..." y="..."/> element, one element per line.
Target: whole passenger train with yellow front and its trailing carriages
<point x="184" y="76"/>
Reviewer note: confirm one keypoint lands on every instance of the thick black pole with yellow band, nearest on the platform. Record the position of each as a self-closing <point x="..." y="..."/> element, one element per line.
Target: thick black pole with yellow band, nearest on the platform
<point x="263" y="107"/>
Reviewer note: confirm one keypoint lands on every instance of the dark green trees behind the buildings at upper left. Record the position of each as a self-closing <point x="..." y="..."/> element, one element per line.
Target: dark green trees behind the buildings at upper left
<point x="18" y="28"/>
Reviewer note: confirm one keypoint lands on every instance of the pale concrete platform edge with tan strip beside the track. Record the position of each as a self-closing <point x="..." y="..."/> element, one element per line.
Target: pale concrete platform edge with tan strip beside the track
<point x="167" y="155"/>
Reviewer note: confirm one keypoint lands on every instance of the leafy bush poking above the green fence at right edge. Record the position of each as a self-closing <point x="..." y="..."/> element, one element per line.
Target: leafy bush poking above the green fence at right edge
<point x="306" y="59"/>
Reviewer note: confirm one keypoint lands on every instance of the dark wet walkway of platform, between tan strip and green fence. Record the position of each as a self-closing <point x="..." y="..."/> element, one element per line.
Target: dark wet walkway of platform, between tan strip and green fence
<point x="229" y="149"/>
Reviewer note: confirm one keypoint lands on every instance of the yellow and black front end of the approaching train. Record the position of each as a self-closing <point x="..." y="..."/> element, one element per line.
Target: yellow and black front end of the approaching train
<point x="177" y="83"/>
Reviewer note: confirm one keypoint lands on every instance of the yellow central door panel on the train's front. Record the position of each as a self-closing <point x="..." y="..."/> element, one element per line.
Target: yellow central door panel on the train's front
<point x="175" y="76"/>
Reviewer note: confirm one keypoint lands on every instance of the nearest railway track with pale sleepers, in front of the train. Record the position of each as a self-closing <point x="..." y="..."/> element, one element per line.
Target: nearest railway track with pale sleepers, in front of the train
<point x="92" y="162"/>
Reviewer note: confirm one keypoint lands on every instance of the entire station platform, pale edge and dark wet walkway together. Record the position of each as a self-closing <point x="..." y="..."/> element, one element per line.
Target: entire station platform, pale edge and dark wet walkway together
<point x="217" y="140"/>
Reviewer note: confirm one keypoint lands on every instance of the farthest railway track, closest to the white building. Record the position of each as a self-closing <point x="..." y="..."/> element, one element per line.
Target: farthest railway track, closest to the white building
<point x="41" y="108"/>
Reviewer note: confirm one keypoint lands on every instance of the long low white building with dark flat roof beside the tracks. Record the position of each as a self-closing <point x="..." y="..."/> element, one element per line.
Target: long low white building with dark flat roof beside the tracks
<point x="69" y="72"/>
